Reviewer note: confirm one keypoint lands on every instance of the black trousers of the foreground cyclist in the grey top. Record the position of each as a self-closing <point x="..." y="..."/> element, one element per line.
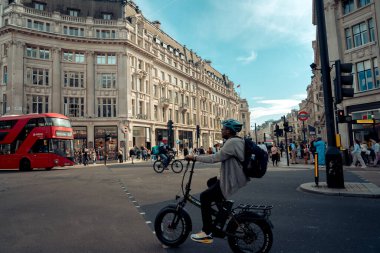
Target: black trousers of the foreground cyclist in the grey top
<point x="212" y="194"/>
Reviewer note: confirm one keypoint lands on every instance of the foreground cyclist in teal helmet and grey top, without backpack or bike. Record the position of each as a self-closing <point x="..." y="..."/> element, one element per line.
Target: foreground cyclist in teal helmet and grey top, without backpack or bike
<point x="232" y="177"/>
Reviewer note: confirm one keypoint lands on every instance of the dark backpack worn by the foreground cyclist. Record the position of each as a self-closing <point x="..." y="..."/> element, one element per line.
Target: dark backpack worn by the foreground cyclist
<point x="255" y="160"/>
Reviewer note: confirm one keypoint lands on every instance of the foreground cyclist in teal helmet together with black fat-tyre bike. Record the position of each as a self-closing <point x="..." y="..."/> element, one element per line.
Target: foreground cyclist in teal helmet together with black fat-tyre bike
<point x="247" y="226"/>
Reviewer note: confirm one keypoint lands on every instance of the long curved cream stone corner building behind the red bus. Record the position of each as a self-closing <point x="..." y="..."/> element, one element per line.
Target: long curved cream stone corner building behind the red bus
<point x="108" y="68"/>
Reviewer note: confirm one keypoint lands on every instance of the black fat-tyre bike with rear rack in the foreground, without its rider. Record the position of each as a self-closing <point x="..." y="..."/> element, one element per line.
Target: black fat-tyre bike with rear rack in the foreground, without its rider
<point x="247" y="227"/>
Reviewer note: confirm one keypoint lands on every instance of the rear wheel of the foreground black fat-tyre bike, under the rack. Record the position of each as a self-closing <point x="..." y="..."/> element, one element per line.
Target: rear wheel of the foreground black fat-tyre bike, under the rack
<point x="248" y="233"/>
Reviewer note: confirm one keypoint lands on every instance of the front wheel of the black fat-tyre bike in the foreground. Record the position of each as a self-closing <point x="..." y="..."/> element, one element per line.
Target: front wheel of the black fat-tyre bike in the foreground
<point x="172" y="227"/>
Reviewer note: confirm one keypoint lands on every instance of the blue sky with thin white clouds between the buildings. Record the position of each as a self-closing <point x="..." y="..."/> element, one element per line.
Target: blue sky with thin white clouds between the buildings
<point x="263" y="46"/>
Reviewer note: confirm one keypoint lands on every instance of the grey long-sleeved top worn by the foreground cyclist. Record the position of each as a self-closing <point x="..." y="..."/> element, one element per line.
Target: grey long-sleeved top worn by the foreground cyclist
<point x="232" y="177"/>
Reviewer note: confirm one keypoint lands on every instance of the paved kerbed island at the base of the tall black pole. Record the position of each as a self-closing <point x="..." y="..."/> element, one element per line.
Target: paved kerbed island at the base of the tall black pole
<point x="364" y="190"/>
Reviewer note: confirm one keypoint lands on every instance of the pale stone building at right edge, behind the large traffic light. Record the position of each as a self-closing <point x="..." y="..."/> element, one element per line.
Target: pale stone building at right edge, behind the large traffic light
<point x="353" y="37"/>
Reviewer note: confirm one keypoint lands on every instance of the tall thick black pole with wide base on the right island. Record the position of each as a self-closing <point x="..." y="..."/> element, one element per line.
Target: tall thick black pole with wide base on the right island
<point x="334" y="164"/>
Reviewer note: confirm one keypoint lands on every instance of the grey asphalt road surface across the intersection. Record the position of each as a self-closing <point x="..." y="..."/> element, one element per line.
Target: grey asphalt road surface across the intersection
<point x="111" y="209"/>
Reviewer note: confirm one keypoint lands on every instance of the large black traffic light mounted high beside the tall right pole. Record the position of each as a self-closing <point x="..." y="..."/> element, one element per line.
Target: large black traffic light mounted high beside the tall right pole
<point x="343" y="77"/>
